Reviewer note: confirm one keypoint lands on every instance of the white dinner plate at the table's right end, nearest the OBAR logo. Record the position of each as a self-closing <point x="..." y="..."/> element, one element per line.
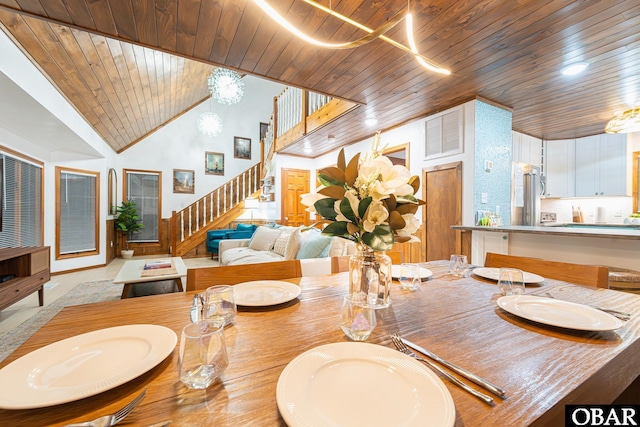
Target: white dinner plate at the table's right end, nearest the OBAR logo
<point x="560" y="313"/>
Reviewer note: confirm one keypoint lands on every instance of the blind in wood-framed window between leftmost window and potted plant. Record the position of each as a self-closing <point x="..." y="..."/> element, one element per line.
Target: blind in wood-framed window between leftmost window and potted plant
<point x="78" y="211"/>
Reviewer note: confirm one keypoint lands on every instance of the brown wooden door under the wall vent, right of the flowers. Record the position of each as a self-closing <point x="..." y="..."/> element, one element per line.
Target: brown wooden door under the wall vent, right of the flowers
<point x="442" y="189"/>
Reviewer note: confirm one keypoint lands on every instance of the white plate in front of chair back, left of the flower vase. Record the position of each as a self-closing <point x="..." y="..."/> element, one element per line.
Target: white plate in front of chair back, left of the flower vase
<point x="261" y="293"/>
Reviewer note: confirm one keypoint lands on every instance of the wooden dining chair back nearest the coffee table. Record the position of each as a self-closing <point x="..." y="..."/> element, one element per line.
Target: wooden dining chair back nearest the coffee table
<point x="202" y="278"/>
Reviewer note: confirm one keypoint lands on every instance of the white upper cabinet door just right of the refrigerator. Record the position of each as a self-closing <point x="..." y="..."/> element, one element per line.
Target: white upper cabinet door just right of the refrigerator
<point x="559" y="168"/>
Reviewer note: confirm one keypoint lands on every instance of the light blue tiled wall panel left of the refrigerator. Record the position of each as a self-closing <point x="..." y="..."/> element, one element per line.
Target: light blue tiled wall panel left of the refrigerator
<point x="493" y="143"/>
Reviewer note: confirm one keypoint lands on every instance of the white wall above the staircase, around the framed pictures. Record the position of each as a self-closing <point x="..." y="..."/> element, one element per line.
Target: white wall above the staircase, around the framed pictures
<point x="179" y="144"/>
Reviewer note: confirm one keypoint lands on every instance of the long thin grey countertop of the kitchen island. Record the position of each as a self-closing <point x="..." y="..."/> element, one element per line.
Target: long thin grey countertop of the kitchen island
<point x="621" y="231"/>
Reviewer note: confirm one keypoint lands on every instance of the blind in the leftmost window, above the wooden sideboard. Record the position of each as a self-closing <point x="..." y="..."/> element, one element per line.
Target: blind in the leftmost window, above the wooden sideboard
<point x="21" y="206"/>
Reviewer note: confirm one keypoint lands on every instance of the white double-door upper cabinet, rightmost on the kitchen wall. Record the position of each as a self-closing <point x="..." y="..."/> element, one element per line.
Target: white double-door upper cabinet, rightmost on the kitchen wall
<point x="601" y="165"/>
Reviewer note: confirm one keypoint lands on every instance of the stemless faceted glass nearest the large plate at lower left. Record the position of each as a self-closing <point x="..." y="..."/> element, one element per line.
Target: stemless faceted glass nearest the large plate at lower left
<point x="203" y="354"/>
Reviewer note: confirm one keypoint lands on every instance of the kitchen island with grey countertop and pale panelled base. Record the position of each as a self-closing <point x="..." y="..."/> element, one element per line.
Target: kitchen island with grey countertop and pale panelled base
<point x="596" y="244"/>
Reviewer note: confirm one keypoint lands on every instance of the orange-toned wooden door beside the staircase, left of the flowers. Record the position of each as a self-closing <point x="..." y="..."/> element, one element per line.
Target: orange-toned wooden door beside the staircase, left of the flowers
<point x="295" y="182"/>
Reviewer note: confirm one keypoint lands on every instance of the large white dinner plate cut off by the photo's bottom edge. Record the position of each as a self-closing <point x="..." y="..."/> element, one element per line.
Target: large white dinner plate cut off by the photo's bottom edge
<point x="361" y="384"/>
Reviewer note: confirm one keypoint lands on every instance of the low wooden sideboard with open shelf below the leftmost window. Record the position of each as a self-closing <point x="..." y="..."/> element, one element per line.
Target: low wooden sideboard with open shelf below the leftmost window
<point x="30" y="266"/>
